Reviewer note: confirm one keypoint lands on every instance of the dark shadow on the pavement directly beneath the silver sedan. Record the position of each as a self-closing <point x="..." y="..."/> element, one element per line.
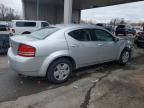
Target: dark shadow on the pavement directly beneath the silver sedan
<point x="77" y="74"/>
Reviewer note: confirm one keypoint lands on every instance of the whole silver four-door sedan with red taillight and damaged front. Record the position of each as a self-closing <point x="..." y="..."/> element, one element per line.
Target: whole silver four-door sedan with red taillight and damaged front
<point x="56" y="51"/>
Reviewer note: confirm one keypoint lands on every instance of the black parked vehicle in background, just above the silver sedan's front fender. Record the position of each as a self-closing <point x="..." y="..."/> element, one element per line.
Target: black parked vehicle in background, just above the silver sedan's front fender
<point x="125" y="30"/>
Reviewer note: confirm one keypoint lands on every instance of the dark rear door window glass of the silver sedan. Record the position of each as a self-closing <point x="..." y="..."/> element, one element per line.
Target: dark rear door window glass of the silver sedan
<point x="80" y="35"/>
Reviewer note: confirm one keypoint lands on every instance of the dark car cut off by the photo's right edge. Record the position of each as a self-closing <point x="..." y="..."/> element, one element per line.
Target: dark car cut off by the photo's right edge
<point x="139" y="39"/>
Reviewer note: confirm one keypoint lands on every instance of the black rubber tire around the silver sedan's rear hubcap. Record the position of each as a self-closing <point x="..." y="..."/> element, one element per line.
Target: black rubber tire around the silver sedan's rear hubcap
<point x="50" y="71"/>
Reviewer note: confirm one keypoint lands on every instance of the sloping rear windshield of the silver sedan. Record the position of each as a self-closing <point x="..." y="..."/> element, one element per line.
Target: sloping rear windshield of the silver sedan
<point x="43" y="33"/>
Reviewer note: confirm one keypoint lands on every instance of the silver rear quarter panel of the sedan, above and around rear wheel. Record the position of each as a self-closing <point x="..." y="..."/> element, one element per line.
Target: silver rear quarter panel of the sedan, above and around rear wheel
<point x="51" y="48"/>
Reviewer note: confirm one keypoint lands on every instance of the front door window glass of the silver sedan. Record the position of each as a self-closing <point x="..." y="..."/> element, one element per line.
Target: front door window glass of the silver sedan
<point x="102" y="35"/>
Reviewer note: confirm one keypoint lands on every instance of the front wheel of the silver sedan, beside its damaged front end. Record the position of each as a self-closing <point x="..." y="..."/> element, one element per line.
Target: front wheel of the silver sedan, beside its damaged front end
<point x="125" y="57"/>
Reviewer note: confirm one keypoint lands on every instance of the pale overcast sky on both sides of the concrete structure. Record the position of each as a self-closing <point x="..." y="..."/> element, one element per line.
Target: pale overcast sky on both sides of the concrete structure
<point x="131" y="11"/>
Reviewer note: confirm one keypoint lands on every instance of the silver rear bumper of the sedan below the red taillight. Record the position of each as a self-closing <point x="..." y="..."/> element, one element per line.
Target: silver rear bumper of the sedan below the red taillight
<point x="25" y="66"/>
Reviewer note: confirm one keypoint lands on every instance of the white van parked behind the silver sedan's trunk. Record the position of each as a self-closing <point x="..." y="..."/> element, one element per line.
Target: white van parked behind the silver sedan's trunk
<point x="26" y="26"/>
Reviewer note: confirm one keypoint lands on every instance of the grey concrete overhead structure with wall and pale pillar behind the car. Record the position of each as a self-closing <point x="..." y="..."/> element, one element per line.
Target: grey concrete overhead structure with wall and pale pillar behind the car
<point x="59" y="11"/>
